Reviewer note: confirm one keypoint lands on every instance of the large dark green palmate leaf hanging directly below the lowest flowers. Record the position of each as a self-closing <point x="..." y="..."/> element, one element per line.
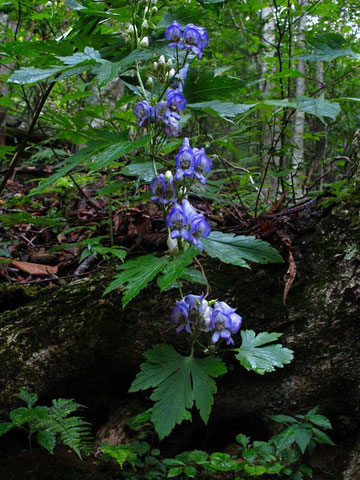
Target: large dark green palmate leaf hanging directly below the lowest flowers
<point x="179" y="382"/>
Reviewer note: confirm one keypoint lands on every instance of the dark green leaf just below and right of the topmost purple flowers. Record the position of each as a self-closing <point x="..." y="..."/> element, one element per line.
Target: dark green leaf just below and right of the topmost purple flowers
<point x="202" y="85"/>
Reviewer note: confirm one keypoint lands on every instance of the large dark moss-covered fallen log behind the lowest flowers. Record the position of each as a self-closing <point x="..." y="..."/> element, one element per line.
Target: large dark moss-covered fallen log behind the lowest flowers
<point x="72" y="342"/>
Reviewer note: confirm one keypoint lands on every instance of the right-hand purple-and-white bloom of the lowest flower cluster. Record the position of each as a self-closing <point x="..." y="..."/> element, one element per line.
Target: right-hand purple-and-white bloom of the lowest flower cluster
<point x="225" y="322"/>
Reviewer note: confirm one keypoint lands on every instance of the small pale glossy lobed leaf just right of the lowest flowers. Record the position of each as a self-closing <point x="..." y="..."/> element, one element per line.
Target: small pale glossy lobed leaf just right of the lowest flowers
<point x="253" y="355"/>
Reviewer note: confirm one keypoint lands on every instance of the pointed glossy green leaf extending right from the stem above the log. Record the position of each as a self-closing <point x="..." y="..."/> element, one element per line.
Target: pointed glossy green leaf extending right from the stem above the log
<point x="237" y="249"/>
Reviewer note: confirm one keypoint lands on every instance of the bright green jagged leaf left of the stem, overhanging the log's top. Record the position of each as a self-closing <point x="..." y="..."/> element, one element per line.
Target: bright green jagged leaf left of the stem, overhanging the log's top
<point x="137" y="273"/>
